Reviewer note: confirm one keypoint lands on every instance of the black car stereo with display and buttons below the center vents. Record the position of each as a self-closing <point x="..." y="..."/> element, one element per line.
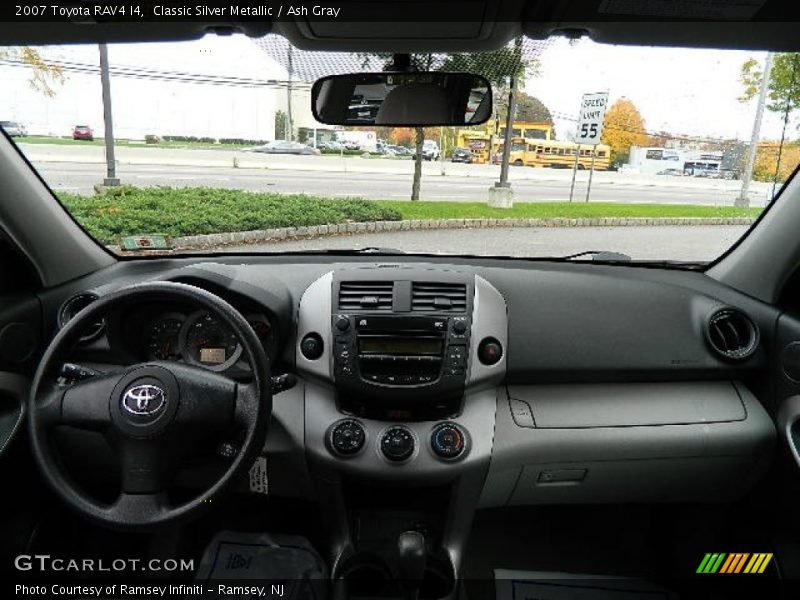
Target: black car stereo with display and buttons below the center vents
<point x="413" y="357"/>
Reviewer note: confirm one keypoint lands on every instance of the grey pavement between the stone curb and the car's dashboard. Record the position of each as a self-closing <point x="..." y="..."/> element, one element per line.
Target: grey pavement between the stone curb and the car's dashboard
<point x="695" y="243"/>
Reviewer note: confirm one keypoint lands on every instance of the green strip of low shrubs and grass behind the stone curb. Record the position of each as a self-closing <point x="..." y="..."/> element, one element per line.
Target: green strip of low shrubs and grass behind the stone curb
<point x="189" y="211"/>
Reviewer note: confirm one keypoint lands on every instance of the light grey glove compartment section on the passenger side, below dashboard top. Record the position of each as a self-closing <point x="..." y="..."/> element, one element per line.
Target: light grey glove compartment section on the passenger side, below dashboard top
<point x="637" y="442"/>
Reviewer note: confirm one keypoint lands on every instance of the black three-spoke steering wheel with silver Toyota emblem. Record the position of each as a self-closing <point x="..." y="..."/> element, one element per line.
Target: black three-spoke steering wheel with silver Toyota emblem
<point x="151" y="413"/>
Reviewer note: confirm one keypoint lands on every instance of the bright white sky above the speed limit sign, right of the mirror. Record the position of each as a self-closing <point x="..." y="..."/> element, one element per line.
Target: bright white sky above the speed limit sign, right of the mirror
<point x="684" y="91"/>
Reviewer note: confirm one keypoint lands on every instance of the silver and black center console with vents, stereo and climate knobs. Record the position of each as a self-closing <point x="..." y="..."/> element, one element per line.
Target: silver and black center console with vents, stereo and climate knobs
<point x="401" y="369"/>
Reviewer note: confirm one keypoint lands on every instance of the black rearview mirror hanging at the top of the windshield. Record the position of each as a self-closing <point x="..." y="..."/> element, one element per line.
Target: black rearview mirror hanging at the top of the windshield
<point x="402" y="99"/>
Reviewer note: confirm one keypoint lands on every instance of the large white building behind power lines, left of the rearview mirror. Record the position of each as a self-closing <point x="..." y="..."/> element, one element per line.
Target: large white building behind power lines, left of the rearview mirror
<point x="213" y="87"/>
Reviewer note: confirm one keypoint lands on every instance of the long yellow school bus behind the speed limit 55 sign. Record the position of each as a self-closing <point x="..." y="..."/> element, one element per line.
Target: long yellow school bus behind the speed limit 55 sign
<point x="550" y="153"/>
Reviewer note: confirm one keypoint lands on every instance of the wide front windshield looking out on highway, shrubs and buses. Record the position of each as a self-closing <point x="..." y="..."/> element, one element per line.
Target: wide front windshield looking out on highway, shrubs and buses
<point x="659" y="154"/>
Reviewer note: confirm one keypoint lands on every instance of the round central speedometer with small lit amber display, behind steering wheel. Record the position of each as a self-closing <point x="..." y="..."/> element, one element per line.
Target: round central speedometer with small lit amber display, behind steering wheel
<point x="206" y="341"/>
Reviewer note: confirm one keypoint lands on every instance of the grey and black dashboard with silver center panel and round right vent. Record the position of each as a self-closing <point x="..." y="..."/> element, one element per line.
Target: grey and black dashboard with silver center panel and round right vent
<point x="424" y="373"/>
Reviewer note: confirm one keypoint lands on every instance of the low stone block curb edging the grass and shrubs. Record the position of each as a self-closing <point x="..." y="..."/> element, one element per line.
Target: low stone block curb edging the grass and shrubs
<point x="278" y="234"/>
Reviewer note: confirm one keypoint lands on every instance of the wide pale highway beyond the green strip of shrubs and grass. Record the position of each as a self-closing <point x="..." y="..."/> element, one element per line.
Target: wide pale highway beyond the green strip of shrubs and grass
<point x="459" y="186"/>
